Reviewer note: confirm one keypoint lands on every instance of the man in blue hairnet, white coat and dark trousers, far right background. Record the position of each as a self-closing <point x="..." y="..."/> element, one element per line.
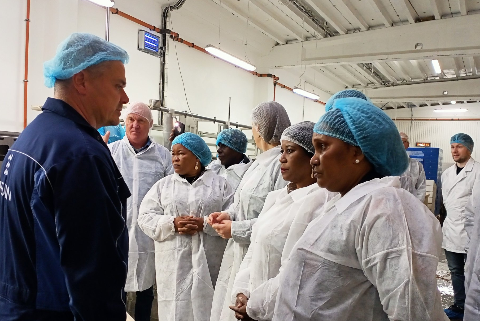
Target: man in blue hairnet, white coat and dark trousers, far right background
<point x="457" y="183"/>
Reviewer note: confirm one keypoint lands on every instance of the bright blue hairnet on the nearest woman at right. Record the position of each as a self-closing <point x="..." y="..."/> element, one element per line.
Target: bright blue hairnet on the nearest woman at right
<point x="360" y="123"/>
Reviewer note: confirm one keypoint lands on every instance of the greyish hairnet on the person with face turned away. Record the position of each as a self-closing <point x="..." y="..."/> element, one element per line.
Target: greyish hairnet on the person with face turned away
<point x="271" y="119"/>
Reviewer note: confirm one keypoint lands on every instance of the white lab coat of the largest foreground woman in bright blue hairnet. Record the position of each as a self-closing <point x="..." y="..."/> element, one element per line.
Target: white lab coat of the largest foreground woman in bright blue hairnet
<point x="371" y="255"/>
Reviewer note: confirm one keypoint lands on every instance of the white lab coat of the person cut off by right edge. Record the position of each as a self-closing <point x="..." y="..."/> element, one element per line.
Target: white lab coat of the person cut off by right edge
<point x="472" y="266"/>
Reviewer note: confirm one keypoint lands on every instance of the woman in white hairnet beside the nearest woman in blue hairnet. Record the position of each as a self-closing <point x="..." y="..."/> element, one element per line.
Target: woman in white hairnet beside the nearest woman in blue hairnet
<point x="269" y="234"/>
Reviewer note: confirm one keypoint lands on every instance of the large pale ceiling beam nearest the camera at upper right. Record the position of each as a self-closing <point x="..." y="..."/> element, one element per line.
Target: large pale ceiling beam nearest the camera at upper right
<point x="387" y="44"/>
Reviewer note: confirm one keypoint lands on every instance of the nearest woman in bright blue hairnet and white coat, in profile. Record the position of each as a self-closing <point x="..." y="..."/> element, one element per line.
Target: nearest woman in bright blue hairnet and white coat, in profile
<point x="373" y="251"/>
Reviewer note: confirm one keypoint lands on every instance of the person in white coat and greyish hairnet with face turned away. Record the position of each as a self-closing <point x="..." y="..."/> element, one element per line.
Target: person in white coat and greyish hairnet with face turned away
<point x="269" y="121"/>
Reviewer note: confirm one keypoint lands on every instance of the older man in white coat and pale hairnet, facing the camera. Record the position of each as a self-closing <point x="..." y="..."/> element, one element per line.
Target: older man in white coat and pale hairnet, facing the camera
<point x="142" y="163"/>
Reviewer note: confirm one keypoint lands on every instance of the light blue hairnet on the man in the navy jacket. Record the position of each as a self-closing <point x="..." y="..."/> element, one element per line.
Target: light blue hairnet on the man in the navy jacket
<point x="78" y="52"/>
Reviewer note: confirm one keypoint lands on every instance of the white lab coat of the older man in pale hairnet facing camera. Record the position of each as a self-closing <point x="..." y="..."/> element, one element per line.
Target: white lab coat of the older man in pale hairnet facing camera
<point x="140" y="171"/>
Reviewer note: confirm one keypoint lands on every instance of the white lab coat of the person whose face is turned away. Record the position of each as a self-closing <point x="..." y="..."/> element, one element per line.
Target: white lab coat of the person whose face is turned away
<point x="262" y="177"/>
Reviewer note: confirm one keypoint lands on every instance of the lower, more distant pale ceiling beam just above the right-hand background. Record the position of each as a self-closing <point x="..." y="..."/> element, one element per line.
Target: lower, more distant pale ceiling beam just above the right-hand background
<point x="427" y="92"/>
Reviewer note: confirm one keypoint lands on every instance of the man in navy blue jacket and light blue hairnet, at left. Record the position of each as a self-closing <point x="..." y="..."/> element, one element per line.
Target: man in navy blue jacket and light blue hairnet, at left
<point x="63" y="240"/>
